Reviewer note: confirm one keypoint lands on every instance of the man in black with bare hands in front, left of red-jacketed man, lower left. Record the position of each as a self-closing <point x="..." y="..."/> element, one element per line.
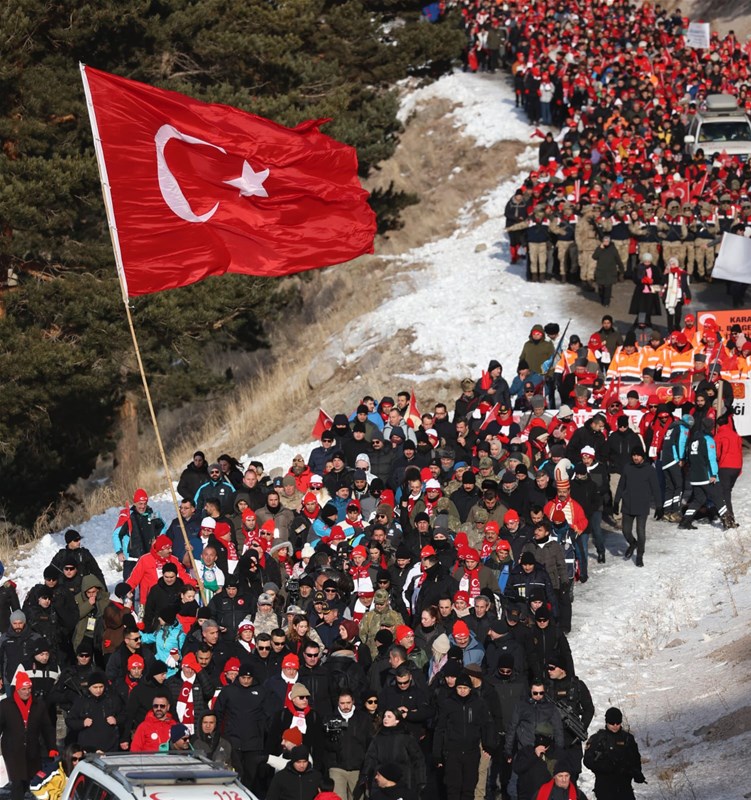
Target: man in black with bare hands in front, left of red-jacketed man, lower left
<point x="95" y="717"/>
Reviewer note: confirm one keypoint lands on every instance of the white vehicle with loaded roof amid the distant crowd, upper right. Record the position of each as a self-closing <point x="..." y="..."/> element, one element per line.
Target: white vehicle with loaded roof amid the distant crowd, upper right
<point x="721" y="125"/>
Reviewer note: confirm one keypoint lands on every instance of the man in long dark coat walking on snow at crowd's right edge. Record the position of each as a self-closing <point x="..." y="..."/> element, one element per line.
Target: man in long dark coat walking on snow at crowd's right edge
<point x="637" y="487"/>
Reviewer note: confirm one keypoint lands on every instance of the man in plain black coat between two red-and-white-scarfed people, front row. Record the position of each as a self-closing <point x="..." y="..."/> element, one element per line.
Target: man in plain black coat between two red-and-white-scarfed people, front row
<point x="241" y="711"/>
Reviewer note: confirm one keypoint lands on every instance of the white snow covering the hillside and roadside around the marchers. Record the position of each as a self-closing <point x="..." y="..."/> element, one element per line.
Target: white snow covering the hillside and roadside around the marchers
<point x="664" y="643"/>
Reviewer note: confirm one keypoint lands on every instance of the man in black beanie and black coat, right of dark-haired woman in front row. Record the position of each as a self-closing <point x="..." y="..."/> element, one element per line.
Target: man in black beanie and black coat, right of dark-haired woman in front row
<point x="463" y="736"/>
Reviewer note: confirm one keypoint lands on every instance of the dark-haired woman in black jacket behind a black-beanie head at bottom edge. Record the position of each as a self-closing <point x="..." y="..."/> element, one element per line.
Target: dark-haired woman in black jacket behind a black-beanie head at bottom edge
<point x="393" y="745"/>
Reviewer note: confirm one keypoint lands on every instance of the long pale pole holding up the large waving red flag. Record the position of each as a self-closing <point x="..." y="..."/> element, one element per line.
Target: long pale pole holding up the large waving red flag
<point x="109" y="208"/>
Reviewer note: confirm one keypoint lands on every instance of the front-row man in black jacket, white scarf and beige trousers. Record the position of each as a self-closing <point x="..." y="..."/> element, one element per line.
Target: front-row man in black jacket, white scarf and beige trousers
<point x="347" y="735"/>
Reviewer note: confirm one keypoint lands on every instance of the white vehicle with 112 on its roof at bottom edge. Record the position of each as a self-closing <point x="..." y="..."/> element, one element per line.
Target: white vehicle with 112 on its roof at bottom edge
<point x="166" y="776"/>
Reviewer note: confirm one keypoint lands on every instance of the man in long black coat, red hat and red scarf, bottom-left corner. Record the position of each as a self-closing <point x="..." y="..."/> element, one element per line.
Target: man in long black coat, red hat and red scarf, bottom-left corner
<point x="27" y="733"/>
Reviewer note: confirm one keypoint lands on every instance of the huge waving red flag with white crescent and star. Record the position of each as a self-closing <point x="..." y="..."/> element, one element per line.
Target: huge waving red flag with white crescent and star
<point x="196" y="189"/>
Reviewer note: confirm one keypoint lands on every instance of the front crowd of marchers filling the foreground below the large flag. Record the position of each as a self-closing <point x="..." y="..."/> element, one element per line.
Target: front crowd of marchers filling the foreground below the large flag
<point x="389" y="615"/>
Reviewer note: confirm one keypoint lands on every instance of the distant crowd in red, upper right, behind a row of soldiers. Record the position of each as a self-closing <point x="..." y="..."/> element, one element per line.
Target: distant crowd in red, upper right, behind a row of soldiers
<point x="617" y="85"/>
